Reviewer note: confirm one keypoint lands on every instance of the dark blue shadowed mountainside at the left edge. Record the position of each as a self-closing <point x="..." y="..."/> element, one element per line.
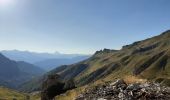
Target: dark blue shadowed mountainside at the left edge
<point x="13" y="73"/>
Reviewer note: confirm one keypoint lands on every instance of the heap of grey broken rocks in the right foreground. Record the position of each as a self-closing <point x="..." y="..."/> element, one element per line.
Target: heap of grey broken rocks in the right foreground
<point x="119" y="90"/>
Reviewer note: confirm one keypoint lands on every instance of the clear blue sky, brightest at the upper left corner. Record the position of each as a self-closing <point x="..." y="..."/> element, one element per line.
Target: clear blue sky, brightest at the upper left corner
<point x="79" y="26"/>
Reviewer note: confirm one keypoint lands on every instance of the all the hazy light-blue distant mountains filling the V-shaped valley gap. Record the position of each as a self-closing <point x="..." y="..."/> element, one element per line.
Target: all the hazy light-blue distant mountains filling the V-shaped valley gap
<point x="45" y="61"/>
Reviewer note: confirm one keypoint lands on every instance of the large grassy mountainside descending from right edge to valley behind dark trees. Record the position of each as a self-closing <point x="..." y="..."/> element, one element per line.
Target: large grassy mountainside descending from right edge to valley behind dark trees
<point x="147" y="59"/>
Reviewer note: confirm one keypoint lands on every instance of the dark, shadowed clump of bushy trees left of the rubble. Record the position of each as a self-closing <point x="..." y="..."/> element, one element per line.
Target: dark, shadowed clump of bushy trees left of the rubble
<point x="54" y="86"/>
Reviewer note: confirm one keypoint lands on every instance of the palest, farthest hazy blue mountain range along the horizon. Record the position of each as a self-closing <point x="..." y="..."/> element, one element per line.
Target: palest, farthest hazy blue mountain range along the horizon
<point x="33" y="57"/>
